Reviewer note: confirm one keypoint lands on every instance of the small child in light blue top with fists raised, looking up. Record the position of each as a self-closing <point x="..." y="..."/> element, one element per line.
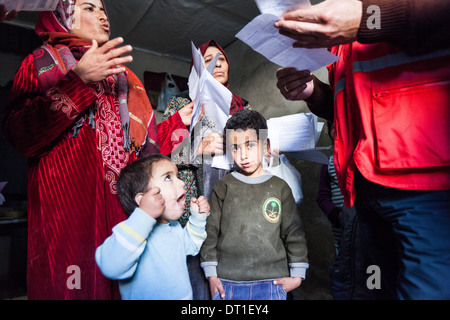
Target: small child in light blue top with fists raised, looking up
<point x="147" y="252"/>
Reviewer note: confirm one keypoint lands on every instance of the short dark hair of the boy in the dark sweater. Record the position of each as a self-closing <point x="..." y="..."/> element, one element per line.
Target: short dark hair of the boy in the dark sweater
<point x="247" y="119"/>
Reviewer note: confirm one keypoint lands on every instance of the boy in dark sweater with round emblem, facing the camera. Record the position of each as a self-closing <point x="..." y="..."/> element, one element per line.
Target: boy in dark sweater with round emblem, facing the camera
<point x="255" y="246"/>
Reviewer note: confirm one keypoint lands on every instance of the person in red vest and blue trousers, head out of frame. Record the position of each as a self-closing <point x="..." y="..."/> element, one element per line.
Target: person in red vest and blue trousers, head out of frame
<point x="389" y="96"/>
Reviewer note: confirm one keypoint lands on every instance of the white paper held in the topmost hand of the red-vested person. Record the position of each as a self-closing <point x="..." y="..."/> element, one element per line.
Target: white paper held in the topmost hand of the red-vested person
<point x="261" y="35"/>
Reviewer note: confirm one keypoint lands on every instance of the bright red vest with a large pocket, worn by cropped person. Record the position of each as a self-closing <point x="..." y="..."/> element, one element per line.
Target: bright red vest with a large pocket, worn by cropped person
<point x="392" y="117"/>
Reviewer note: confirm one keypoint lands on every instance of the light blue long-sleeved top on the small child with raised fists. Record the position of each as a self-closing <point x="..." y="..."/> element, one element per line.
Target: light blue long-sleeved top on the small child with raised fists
<point x="149" y="258"/>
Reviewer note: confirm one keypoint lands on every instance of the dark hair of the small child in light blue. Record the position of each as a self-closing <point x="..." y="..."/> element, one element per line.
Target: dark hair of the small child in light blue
<point x="134" y="179"/>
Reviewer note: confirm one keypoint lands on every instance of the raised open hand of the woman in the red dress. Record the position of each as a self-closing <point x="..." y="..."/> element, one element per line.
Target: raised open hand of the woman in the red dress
<point x="98" y="63"/>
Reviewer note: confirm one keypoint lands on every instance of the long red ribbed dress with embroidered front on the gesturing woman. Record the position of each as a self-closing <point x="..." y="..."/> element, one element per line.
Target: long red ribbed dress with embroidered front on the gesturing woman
<point x="71" y="187"/>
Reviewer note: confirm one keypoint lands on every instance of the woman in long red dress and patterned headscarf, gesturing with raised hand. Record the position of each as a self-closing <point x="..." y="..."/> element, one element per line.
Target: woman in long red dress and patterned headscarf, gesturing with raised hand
<point x="80" y="117"/>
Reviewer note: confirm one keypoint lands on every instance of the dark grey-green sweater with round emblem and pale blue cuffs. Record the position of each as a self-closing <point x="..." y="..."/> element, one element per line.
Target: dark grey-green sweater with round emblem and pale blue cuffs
<point x="254" y="231"/>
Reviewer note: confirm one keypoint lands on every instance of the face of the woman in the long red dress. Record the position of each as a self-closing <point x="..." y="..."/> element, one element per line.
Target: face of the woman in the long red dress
<point x="90" y="21"/>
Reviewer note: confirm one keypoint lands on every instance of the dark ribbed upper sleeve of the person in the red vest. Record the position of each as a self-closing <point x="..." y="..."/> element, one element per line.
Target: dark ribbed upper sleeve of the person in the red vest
<point x="418" y="26"/>
